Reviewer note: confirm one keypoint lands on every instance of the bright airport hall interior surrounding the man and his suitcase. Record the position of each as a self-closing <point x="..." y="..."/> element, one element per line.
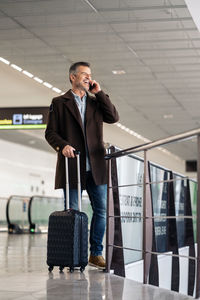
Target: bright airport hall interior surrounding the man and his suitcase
<point x="145" y="54"/>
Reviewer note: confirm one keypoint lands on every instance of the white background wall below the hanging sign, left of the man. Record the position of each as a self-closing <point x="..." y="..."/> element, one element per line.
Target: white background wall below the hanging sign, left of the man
<point x="26" y="171"/>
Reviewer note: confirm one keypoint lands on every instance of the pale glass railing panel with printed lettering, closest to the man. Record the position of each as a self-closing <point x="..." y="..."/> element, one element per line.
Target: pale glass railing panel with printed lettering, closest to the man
<point x="130" y="187"/>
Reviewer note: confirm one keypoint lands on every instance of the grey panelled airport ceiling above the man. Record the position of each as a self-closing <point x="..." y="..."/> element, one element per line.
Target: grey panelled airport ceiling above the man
<point x="155" y="42"/>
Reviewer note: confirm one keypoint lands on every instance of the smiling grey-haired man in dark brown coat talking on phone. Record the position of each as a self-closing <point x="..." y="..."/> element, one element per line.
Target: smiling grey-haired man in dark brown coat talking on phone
<point x="76" y="123"/>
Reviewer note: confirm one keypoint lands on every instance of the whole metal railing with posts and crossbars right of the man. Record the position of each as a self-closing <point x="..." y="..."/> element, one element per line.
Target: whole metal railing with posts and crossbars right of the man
<point x="147" y="225"/>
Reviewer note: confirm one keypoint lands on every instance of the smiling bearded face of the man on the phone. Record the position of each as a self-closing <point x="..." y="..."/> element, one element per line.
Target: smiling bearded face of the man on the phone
<point x="81" y="80"/>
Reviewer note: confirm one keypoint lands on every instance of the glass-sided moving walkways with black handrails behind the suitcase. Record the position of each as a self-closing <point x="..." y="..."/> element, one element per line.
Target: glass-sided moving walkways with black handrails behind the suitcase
<point x="30" y="214"/>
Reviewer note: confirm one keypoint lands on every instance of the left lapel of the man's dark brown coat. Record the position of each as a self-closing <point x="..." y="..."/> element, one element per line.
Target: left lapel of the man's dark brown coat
<point x="71" y="105"/>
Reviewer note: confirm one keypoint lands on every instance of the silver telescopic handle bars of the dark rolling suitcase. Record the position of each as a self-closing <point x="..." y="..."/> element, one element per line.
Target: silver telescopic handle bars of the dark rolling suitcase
<point x="77" y="153"/>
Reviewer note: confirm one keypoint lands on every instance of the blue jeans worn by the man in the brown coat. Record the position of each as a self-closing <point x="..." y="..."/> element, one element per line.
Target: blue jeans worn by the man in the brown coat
<point x="98" y="198"/>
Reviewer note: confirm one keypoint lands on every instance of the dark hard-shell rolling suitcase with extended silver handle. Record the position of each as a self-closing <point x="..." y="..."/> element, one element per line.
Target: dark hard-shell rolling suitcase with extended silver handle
<point x="67" y="244"/>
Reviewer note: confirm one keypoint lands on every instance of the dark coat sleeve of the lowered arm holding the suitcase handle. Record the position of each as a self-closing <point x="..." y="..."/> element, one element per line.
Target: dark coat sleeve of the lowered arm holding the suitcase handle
<point x="52" y="131"/>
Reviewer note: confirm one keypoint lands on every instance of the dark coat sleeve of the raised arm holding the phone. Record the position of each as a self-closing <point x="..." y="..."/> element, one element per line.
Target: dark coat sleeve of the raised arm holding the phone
<point x="108" y="110"/>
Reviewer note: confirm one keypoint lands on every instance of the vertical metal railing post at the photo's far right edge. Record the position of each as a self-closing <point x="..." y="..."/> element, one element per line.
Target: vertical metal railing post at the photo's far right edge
<point x="198" y="219"/>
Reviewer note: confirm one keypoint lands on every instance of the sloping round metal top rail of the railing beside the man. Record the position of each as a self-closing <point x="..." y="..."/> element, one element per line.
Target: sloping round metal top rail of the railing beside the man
<point x="150" y="145"/>
